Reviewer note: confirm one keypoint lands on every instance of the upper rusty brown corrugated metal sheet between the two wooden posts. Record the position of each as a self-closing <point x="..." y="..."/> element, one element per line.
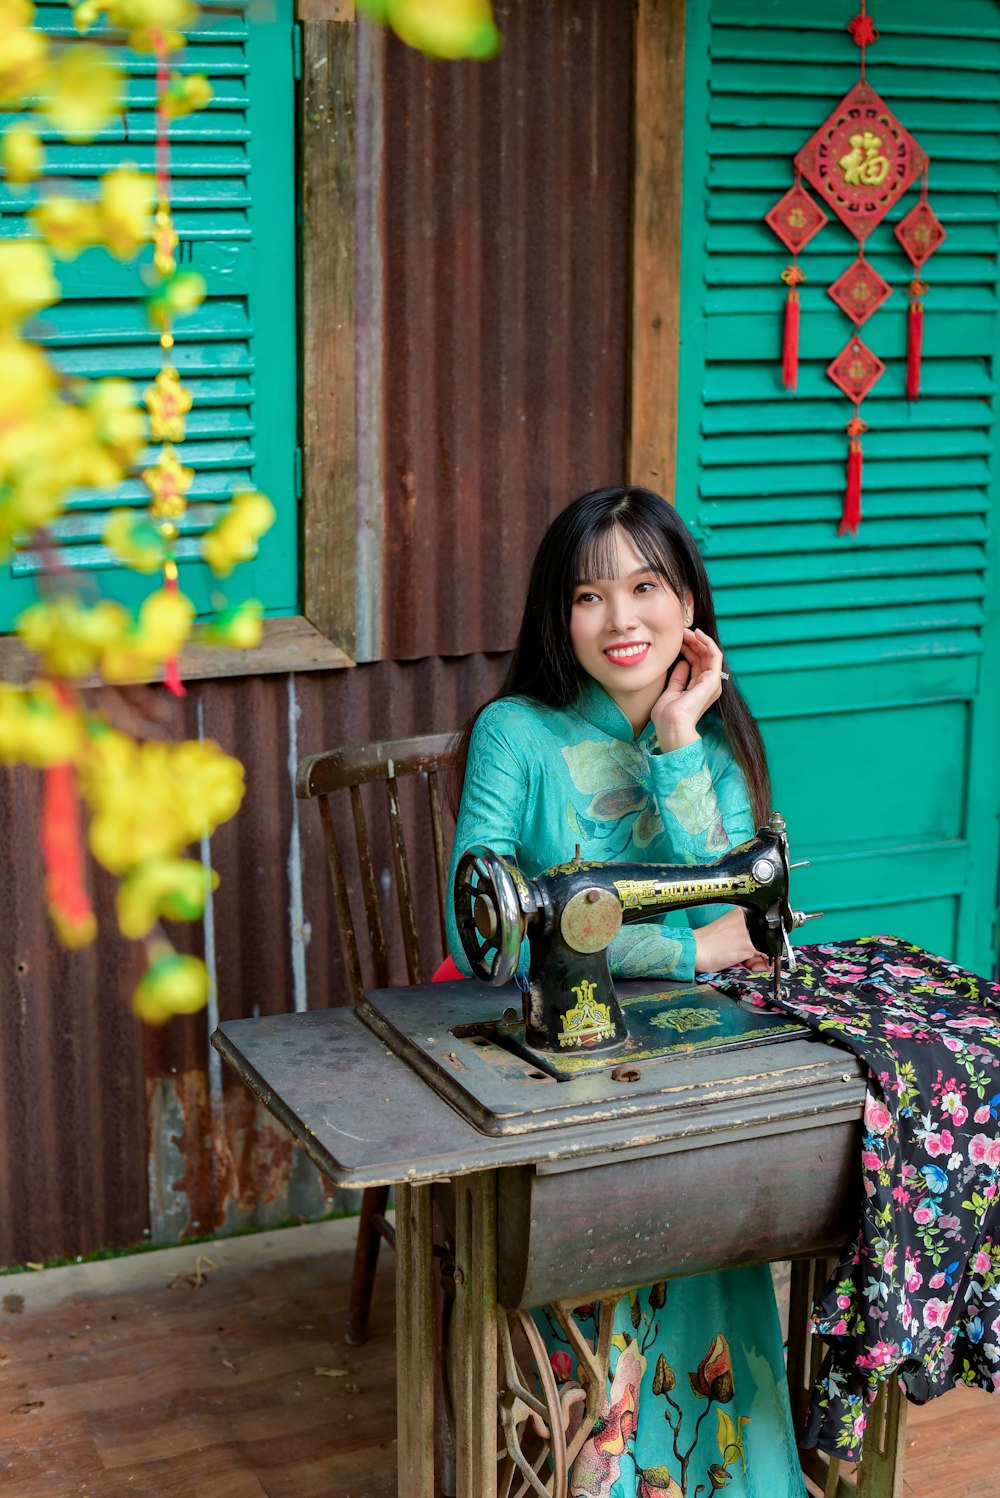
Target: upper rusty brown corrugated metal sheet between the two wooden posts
<point x="505" y="293"/>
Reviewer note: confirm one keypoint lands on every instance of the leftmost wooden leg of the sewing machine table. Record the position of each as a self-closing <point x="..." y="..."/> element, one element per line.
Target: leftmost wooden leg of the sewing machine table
<point x="415" y="1340"/>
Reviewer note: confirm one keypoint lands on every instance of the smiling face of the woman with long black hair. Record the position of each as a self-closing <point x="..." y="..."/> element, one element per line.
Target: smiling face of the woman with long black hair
<point x="628" y="630"/>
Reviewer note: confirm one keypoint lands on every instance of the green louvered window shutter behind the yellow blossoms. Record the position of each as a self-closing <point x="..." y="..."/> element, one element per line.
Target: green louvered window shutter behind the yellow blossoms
<point x="234" y="206"/>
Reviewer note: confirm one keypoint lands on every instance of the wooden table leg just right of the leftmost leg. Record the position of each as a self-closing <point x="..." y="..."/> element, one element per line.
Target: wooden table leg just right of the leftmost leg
<point x="474" y="1341"/>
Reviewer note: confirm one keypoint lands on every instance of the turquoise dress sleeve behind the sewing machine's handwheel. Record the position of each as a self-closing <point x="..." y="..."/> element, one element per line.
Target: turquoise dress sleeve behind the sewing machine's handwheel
<point x="493" y="807"/>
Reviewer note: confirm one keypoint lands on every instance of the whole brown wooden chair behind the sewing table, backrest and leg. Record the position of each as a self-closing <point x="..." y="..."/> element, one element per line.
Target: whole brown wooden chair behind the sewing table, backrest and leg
<point x="330" y="775"/>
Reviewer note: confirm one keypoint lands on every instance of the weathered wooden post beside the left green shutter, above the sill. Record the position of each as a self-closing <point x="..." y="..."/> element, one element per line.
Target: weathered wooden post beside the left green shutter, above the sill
<point x="330" y="491"/>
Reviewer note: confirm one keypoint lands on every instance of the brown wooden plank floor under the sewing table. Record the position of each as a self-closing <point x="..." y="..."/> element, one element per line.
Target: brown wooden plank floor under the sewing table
<point x="215" y="1392"/>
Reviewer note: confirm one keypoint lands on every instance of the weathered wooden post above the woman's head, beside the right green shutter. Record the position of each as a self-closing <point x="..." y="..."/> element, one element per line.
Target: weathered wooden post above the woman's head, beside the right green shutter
<point x="656" y="243"/>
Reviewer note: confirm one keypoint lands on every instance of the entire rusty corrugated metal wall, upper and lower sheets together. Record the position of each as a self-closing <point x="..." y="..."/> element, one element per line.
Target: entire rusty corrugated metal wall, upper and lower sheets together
<point x="507" y="335"/>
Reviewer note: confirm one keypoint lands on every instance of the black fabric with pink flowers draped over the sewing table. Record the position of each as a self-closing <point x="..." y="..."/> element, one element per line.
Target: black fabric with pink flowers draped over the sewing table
<point x="917" y="1292"/>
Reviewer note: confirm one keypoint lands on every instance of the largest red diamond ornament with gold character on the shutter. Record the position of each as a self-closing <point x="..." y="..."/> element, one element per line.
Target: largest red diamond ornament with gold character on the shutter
<point x="862" y="161"/>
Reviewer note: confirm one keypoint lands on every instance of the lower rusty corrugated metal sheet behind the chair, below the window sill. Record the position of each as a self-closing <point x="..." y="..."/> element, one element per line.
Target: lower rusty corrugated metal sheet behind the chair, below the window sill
<point x="109" y="1133"/>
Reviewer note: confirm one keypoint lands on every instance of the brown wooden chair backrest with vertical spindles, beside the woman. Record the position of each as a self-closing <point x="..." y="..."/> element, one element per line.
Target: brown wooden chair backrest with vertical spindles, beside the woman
<point x="351" y="769"/>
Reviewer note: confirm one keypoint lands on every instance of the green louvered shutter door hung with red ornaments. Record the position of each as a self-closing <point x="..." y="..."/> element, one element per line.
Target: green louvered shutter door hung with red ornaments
<point x="874" y="664"/>
